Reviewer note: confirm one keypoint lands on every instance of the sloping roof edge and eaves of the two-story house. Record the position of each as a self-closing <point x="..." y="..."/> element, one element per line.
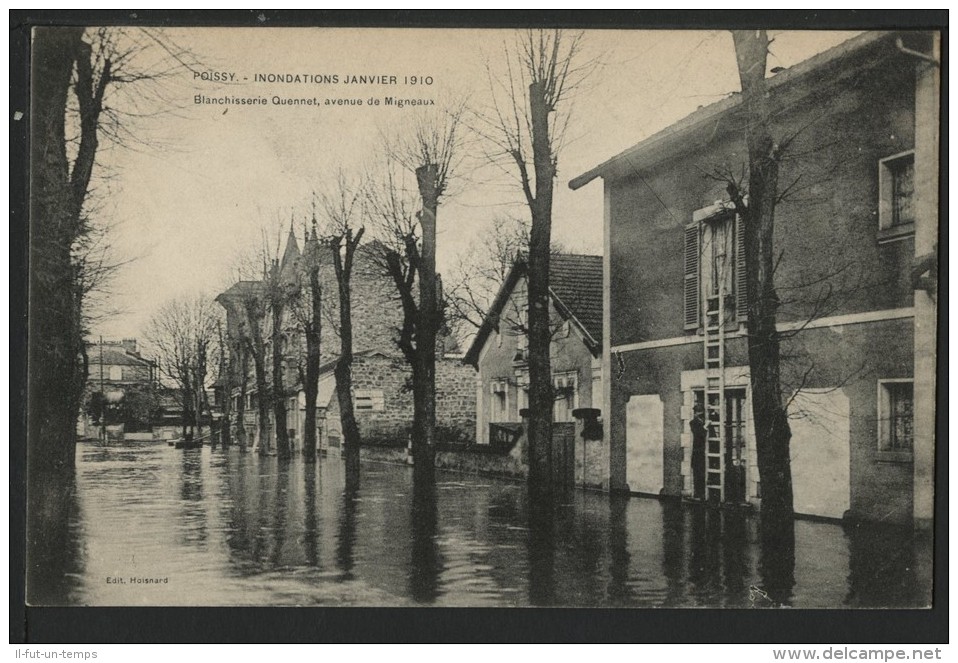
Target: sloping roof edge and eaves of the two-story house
<point x="661" y="144"/>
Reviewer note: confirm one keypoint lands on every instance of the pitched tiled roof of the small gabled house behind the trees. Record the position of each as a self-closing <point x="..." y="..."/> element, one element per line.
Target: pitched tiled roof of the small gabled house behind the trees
<point x="575" y="282"/>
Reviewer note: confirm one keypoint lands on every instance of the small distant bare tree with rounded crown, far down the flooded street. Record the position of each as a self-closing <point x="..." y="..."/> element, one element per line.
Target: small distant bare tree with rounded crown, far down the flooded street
<point x="184" y="340"/>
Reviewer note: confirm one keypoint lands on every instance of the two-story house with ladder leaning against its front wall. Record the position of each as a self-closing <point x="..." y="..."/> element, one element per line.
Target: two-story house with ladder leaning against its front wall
<point x="854" y="232"/>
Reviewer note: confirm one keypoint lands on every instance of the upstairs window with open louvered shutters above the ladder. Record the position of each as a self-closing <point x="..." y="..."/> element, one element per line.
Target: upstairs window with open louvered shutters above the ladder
<point x="714" y="264"/>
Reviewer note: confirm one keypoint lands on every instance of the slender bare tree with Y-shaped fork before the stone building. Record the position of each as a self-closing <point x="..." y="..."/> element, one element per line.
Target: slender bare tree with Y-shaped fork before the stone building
<point x="343" y="207"/>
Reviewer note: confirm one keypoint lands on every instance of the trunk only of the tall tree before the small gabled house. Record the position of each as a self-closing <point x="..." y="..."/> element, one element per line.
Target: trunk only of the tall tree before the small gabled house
<point x="541" y="398"/>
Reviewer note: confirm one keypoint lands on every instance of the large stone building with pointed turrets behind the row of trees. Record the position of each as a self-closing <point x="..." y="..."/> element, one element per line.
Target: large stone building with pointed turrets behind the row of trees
<point x="382" y="393"/>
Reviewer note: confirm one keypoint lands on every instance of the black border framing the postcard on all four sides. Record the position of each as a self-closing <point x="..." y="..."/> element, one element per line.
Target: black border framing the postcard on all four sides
<point x="371" y="625"/>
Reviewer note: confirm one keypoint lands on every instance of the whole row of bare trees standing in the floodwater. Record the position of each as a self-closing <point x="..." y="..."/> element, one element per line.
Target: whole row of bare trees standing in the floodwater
<point x="523" y="132"/>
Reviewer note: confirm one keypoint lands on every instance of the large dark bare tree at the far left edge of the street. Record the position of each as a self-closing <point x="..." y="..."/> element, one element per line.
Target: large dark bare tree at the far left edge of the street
<point x="86" y="84"/>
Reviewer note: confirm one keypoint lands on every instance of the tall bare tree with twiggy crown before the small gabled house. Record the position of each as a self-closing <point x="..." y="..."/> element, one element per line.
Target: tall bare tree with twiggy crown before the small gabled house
<point x="526" y="129"/>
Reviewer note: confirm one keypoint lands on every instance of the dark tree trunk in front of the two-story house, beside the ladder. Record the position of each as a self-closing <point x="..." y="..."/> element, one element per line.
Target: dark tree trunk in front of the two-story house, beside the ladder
<point x="772" y="432"/>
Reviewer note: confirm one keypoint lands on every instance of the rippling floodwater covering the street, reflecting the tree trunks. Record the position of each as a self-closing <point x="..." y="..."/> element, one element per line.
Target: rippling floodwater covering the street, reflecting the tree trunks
<point x="224" y="528"/>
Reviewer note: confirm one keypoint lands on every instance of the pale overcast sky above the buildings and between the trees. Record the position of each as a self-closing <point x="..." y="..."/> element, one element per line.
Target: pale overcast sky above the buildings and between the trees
<point x="211" y="177"/>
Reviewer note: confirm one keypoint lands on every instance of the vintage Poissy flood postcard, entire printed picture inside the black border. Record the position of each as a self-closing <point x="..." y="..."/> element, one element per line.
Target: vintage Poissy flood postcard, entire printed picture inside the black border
<point x="482" y="317"/>
